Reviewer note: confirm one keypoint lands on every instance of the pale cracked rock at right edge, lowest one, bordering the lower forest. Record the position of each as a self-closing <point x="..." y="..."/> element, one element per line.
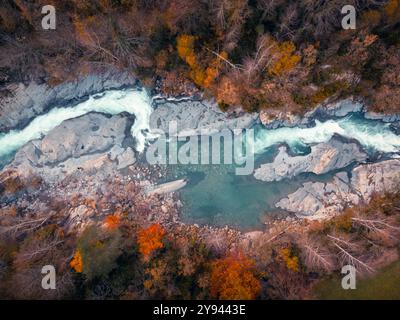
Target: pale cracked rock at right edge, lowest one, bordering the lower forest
<point x="318" y="200"/>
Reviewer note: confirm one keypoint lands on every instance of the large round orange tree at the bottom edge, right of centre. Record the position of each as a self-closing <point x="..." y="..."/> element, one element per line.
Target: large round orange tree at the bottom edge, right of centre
<point x="233" y="278"/>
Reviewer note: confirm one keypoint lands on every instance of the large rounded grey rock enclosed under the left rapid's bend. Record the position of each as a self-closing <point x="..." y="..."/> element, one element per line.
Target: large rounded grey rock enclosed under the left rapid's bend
<point x="87" y="143"/>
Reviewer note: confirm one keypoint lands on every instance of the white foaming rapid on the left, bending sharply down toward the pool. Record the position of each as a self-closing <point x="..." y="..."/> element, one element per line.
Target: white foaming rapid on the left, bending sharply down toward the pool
<point x="111" y="102"/>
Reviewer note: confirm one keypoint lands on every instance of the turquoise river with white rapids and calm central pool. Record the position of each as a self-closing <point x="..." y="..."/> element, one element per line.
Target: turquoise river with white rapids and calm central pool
<point x="215" y="195"/>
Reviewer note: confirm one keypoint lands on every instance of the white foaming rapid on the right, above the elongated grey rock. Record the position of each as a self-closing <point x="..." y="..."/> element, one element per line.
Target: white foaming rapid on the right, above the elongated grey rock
<point x="372" y="135"/>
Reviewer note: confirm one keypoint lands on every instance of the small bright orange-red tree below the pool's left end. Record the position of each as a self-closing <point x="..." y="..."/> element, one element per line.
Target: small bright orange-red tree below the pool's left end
<point x="150" y="239"/>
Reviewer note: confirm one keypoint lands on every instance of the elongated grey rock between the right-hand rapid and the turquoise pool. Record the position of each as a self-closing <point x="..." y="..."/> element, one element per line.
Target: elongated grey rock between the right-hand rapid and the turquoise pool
<point x="324" y="157"/>
